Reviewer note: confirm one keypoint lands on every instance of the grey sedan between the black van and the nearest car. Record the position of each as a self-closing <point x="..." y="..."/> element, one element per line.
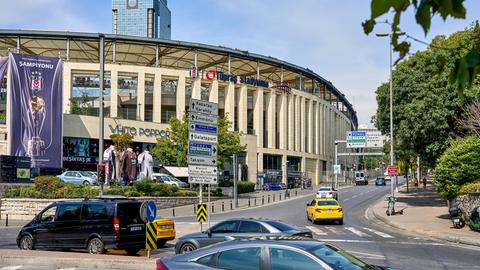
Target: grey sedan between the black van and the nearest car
<point x="237" y="228"/>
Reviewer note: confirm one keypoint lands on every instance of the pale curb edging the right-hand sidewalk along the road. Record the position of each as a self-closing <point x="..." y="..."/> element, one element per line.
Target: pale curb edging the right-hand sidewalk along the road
<point x="453" y="239"/>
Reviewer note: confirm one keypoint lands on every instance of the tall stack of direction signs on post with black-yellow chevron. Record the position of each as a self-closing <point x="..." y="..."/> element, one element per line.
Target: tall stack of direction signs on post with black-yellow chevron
<point x="203" y="150"/>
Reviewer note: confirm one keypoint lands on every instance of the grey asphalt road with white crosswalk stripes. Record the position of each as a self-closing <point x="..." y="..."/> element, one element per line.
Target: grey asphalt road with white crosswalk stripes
<point x="360" y="235"/>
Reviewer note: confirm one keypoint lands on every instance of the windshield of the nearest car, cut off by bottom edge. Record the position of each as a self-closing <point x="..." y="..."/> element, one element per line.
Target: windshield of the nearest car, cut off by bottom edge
<point x="338" y="259"/>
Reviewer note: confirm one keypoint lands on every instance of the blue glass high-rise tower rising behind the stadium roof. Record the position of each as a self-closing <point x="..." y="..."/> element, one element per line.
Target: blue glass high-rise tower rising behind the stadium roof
<point x="144" y="18"/>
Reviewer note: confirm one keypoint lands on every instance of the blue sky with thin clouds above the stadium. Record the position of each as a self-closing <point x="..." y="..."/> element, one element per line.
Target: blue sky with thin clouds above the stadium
<point x="323" y="35"/>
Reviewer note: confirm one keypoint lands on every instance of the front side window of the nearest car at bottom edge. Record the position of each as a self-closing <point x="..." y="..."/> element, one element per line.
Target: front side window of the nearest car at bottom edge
<point x="284" y="259"/>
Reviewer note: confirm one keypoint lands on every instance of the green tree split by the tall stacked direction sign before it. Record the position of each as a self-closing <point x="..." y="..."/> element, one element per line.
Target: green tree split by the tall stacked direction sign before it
<point x="174" y="149"/>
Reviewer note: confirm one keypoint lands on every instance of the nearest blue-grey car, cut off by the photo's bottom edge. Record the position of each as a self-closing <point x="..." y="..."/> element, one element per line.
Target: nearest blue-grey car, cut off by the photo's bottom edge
<point x="267" y="253"/>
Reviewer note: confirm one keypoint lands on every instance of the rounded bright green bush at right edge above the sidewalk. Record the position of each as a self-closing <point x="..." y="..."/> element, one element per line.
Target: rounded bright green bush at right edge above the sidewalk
<point x="459" y="165"/>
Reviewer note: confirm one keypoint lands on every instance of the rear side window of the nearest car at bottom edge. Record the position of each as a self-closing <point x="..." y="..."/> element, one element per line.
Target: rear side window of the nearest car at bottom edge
<point x="242" y="258"/>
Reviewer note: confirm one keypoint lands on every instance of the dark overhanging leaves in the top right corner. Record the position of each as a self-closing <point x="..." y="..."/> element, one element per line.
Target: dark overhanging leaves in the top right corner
<point x="466" y="68"/>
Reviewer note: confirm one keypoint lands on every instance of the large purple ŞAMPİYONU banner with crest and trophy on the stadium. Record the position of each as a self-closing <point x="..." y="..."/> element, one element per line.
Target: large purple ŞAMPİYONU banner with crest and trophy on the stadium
<point x="36" y="109"/>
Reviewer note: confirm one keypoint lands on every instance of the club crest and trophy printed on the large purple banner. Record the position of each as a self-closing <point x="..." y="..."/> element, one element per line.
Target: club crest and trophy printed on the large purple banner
<point x="36" y="146"/>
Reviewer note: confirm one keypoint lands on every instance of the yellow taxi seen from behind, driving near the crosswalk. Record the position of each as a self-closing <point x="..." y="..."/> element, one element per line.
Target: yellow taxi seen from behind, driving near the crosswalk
<point x="324" y="209"/>
